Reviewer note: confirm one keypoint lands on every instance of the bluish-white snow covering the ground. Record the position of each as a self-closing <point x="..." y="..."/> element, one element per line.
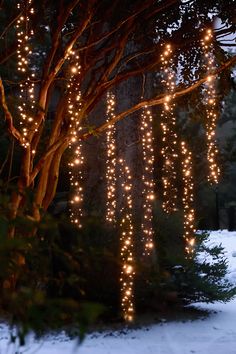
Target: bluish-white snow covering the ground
<point x="214" y="334"/>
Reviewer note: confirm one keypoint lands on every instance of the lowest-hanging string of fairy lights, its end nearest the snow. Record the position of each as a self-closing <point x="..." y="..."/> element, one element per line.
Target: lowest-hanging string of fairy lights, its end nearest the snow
<point x="126" y="244"/>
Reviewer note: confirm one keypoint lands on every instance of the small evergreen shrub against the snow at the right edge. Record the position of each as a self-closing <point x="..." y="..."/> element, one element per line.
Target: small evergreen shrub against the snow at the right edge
<point x="198" y="279"/>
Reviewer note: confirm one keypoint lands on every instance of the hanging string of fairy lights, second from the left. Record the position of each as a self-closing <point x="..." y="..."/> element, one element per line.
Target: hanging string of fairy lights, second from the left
<point x="75" y="166"/>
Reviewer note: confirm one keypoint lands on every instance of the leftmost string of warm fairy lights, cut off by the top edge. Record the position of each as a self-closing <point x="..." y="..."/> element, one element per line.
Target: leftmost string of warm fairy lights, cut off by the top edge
<point x="27" y="86"/>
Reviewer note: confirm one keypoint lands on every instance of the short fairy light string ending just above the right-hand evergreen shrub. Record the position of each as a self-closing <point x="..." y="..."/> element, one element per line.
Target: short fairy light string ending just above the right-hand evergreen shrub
<point x="189" y="219"/>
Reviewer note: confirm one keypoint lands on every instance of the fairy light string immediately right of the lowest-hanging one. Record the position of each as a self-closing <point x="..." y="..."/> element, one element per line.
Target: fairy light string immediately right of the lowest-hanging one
<point x="147" y="178"/>
